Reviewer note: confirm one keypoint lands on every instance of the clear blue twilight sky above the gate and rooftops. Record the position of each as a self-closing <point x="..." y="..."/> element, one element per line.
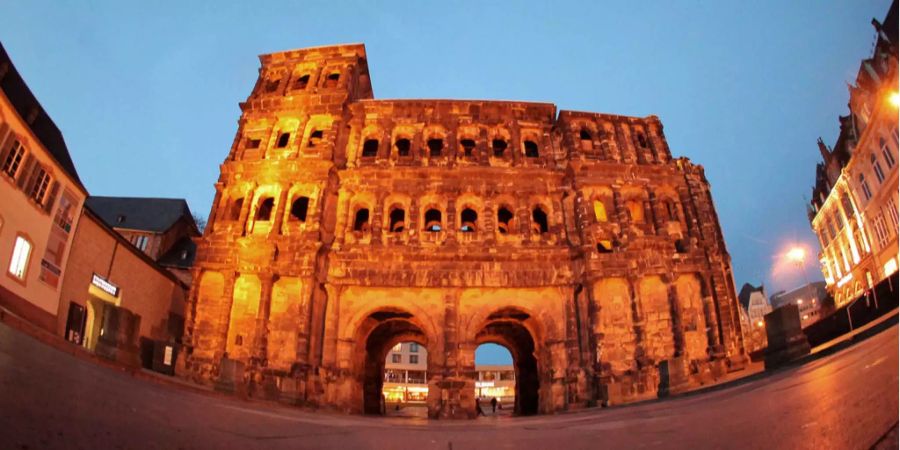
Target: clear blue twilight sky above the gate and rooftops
<point x="147" y="94"/>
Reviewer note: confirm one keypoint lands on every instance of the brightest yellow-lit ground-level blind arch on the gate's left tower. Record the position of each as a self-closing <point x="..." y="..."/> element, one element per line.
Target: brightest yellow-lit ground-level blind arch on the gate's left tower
<point x="242" y="323"/>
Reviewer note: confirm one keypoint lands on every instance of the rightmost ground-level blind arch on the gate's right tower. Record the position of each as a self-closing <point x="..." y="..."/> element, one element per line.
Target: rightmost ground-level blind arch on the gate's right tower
<point x="689" y="292"/>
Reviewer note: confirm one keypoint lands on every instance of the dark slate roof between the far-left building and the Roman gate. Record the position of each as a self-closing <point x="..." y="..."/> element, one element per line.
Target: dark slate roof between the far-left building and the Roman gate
<point x="137" y="213"/>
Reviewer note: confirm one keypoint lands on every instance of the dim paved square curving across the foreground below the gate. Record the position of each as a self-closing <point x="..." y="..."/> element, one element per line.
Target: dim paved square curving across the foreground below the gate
<point x="52" y="400"/>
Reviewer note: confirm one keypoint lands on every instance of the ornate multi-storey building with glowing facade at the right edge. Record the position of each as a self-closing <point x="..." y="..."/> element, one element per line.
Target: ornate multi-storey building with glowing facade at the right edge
<point x="854" y="206"/>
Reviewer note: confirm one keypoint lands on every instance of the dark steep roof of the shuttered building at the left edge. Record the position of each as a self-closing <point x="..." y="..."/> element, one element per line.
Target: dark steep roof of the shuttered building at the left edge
<point x="26" y="105"/>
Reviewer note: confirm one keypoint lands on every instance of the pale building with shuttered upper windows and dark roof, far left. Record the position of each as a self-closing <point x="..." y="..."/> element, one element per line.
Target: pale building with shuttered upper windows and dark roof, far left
<point x="41" y="196"/>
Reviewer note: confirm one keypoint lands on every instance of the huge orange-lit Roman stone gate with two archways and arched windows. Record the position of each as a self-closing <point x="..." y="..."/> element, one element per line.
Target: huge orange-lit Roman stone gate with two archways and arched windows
<point x="343" y="225"/>
